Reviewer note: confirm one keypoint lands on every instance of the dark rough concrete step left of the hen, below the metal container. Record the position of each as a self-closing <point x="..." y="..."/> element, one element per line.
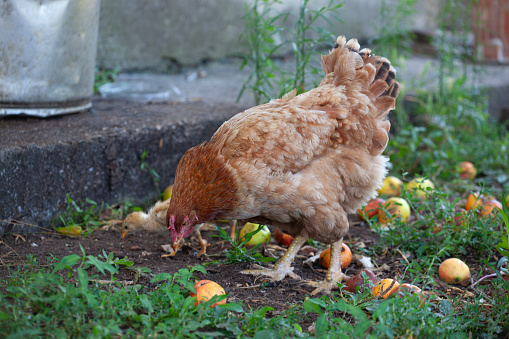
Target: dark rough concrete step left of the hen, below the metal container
<point x="96" y="155"/>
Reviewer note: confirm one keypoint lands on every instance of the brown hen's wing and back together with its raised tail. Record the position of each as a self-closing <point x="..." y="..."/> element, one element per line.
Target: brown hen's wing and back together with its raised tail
<point x="348" y="109"/>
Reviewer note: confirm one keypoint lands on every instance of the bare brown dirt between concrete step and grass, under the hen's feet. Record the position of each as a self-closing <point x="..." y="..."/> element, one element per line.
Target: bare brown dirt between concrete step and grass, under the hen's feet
<point x="145" y="250"/>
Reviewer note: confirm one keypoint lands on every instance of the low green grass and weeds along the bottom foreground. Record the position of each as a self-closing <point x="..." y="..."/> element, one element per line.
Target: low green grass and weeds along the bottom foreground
<point x="65" y="300"/>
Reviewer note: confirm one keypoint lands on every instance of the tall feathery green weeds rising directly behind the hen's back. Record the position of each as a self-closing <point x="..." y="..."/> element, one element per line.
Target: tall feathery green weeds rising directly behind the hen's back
<point x="263" y="37"/>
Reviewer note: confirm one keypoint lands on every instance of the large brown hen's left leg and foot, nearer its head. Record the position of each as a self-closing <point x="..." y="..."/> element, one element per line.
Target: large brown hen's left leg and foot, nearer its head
<point x="283" y="266"/>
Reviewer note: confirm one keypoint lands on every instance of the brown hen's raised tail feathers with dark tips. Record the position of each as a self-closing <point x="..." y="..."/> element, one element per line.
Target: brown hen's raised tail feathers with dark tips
<point x="372" y="75"/>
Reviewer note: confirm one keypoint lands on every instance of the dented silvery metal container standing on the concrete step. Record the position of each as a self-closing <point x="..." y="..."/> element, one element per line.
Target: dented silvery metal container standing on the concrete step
<point x="47" y="56"/>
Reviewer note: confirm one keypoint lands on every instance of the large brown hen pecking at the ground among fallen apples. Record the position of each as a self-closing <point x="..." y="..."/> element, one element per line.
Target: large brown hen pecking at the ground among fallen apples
<point x="300" y="163"/>
